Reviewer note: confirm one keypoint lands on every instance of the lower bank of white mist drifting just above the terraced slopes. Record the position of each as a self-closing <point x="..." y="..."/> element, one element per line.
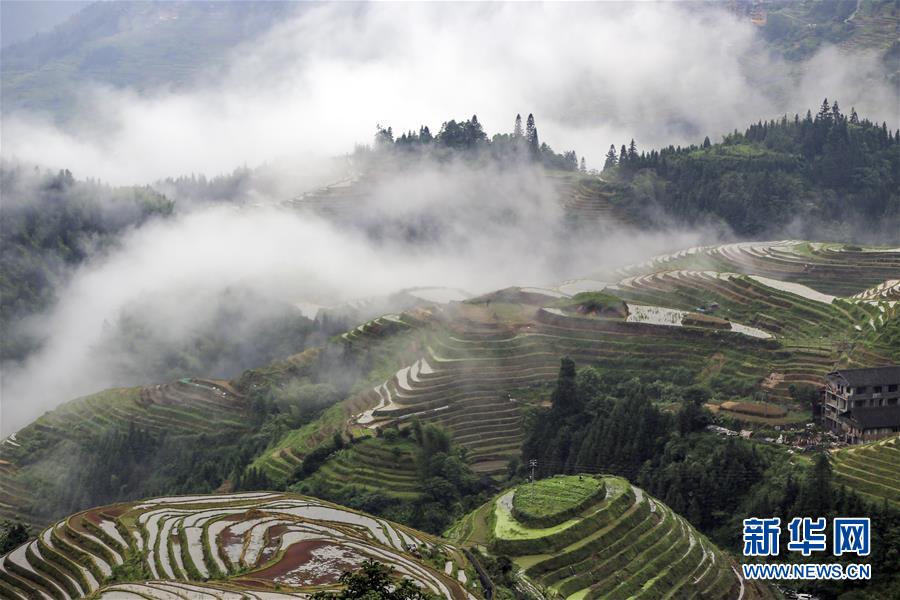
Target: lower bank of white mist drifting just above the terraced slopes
<point x="473" y="227"/>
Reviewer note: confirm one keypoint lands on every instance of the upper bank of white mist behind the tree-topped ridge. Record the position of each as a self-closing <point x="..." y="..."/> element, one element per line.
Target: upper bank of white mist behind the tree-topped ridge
<point x="593" y="75"/>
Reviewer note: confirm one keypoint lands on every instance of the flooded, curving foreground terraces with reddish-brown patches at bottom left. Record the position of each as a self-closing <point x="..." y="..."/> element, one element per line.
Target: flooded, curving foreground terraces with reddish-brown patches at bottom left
<point x="254" y="543"/>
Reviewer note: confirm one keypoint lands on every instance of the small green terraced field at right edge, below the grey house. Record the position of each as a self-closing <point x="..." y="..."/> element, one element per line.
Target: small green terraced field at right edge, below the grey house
<point x="871" y="469"/>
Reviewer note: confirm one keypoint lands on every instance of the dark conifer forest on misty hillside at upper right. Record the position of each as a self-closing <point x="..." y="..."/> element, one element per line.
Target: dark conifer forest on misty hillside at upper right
<point x="826" y="174"/>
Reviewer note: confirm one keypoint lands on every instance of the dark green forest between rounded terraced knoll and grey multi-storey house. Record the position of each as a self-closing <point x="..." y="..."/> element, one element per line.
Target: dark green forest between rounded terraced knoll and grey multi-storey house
<point x="604" y="422"/>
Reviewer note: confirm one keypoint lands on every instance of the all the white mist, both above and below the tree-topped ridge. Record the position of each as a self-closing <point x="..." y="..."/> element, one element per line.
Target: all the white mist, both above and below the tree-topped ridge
<point x="316" y="85"/>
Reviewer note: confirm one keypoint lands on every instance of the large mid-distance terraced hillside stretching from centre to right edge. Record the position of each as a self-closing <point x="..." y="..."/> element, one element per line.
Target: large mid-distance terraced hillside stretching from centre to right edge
<point x="743" y="318"/>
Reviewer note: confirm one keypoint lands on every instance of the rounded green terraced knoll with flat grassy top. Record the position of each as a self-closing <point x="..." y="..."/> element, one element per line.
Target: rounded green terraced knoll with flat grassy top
<point x="608" y="539"/>
